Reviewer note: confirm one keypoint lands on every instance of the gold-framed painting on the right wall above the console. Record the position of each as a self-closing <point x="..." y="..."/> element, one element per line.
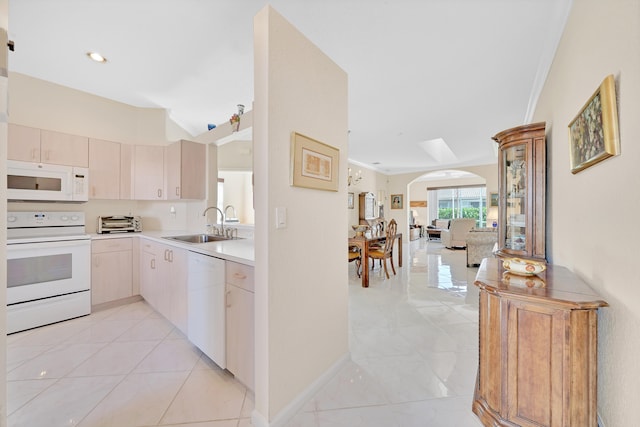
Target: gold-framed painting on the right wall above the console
<point x="593" y="133"/>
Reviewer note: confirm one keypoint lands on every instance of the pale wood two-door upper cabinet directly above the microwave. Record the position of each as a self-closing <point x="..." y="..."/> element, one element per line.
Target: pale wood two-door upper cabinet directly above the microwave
<point x="44" y="146"/>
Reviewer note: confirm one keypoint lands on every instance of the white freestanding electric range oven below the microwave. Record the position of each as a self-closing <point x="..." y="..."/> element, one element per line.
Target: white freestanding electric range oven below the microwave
<point x="48" y="268"/>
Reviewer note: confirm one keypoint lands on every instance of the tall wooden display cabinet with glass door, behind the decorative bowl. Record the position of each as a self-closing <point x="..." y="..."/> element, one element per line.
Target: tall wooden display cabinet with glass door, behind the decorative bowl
<point x="522" y="180"/>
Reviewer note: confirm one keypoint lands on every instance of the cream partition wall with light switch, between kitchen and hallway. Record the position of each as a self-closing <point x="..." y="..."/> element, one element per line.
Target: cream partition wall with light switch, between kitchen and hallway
<point x="301" y="275"/>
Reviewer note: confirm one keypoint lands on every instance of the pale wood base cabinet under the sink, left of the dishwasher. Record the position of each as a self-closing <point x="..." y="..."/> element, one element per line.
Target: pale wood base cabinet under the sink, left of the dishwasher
<point x="163" y="280"/>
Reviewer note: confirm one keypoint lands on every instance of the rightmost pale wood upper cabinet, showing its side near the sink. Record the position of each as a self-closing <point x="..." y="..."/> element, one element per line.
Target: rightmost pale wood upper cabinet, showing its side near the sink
<point x="185" y="168"/>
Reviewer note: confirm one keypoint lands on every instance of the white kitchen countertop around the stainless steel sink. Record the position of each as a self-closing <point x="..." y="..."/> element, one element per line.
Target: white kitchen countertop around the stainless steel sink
<point x="240" y="250"/>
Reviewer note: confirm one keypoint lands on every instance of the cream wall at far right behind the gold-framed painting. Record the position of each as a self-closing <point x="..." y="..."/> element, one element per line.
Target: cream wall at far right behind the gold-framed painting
<point x="592" y="217"/>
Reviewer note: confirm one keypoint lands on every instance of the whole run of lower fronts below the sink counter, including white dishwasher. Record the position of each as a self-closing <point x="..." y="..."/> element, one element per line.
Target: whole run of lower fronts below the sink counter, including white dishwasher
<point x="209" y="299"/>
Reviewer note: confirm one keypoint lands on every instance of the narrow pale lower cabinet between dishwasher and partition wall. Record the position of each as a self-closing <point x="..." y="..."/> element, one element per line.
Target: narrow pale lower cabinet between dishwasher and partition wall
<point x="240" y="316"/>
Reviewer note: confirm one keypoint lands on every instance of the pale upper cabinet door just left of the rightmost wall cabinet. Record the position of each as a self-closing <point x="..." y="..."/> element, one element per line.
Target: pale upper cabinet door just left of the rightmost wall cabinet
<point x="148" y="176"/>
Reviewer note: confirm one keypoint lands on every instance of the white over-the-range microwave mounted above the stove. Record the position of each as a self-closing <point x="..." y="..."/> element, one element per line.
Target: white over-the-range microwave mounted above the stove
<point x="28" y="181"/>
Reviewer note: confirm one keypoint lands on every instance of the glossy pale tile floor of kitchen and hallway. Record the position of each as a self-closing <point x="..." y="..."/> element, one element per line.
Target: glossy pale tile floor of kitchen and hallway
<point x="413" y="362"/>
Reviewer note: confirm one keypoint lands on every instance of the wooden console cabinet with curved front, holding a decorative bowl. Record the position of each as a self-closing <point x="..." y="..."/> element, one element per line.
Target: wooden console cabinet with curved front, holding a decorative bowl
<point x="538" y="348"/>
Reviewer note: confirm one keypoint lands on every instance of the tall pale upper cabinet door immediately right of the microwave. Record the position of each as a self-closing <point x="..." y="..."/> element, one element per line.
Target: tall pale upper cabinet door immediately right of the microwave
<point x="104" y="169"/>
